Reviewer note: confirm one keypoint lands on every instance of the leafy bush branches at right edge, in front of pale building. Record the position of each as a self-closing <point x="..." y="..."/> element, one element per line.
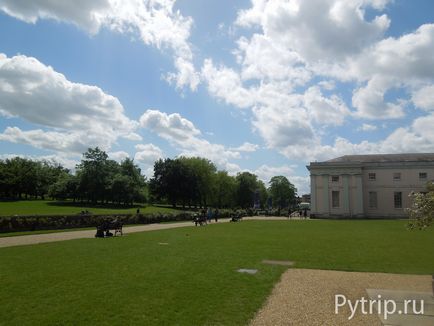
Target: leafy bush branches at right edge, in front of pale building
<point x="421" y="212"/>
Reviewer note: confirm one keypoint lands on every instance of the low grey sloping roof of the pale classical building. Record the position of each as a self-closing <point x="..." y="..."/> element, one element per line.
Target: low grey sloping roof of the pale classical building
<point x="380" y="158"/>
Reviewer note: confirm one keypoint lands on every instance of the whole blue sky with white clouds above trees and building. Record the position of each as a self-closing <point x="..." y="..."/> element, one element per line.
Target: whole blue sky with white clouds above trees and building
<point x="259" y="86"/>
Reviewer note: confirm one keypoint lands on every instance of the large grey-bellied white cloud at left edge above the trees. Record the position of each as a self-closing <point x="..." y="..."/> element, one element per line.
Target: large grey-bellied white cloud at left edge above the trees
<point x="81" y="115"/>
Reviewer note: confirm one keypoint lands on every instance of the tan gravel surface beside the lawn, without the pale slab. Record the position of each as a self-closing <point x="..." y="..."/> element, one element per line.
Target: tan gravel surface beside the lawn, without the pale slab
<point x="307" y="297"/>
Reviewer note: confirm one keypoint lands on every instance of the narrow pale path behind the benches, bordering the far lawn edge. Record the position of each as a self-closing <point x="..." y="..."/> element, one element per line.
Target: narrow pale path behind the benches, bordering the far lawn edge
<point x="69" y="235"/>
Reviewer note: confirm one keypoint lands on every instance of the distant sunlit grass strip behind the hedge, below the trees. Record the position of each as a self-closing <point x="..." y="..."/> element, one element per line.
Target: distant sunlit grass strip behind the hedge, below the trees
<point x="48" y="207"/>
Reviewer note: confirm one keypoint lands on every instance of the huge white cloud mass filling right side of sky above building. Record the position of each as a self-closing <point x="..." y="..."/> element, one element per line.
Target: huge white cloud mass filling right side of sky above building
<point x="288" y="70"/>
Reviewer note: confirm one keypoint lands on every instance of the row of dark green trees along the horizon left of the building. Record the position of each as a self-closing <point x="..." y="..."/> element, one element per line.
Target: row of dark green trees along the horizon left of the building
<point x="185" y="181"/>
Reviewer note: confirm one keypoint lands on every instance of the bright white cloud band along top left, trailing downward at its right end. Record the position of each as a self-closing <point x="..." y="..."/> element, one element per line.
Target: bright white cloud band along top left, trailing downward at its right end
<point x="154" y="21"/>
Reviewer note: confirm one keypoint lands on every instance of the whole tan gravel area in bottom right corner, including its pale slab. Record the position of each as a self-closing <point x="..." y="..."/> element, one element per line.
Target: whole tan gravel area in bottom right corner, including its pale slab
<point x="307" y="297"/>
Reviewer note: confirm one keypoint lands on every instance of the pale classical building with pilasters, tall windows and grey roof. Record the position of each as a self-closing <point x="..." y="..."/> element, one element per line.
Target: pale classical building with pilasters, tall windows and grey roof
<point x="368" y="186"/>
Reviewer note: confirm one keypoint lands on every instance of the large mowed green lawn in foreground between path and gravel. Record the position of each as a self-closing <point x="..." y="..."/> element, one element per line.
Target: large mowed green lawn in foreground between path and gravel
<point x="136" y="280"/>
